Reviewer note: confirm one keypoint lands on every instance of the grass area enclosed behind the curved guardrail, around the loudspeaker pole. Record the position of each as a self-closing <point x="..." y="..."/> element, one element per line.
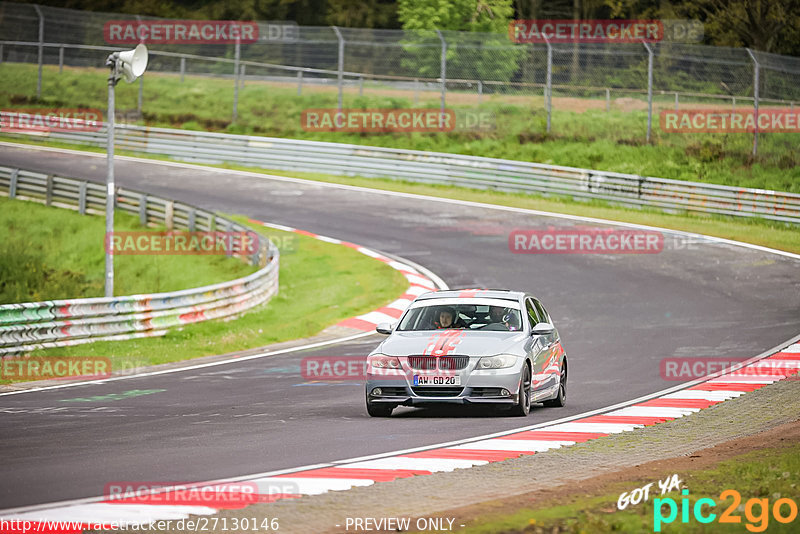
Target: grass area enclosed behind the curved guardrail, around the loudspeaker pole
<point x="49" y="253"/>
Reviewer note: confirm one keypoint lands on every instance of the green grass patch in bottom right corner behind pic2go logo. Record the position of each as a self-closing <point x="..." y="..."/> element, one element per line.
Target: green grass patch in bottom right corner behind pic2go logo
<point x="765" y="474"/>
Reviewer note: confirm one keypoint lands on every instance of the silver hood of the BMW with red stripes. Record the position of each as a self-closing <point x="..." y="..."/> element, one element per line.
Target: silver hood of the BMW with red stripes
<point x="464" y="342"/>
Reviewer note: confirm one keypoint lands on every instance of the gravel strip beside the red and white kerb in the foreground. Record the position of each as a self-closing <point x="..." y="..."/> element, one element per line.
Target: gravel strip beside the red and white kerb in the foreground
<point x="434" y="495"/>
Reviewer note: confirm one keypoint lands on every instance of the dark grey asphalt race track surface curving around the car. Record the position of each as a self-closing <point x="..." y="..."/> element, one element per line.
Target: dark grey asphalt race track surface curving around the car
<point x="619" y="316"/>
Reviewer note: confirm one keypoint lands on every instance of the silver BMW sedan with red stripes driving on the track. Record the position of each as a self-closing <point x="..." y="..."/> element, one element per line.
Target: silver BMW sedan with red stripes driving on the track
<point x="474" y="346"/>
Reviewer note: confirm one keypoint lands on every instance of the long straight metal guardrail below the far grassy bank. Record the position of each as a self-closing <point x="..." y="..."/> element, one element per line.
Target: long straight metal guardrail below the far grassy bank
<point x="452" y="169"/>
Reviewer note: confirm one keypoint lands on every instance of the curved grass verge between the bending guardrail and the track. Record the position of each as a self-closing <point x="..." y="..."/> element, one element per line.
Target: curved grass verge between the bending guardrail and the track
<point x="320" y="284"/>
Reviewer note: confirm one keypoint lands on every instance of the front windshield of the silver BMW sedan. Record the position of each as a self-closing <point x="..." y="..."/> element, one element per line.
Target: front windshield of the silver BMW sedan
<point x="461" y="316"/>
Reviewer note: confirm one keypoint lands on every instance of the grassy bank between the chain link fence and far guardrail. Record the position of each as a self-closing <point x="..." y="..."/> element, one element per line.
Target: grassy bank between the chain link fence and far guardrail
<point x="597" y="139"/>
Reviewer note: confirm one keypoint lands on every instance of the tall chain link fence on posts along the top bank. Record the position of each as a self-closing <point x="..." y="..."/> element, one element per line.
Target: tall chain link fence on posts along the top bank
<point x="448" y="67"/>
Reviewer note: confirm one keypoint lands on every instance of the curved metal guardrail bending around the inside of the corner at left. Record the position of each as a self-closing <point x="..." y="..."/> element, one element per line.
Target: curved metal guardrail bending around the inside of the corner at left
<point x="34" y="325"/>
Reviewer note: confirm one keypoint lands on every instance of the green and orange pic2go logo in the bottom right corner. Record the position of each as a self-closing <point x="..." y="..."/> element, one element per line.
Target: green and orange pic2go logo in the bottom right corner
<point x="758" y="522"/>
